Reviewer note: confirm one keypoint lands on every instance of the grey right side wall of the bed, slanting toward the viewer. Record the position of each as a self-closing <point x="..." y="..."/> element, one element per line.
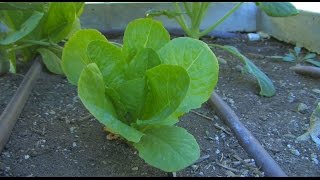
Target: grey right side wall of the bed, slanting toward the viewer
<point x="302" y="30"/>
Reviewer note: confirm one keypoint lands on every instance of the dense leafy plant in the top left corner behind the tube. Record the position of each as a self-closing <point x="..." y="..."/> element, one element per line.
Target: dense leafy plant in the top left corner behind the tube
<point x="36" y="27"/>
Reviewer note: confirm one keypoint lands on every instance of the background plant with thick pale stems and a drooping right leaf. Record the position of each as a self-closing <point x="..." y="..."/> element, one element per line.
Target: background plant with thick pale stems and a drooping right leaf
<point x="196" y="11"/>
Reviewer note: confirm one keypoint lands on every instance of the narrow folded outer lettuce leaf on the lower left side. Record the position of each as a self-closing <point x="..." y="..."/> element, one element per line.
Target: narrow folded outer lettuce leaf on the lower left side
<point x="91" y="91"/>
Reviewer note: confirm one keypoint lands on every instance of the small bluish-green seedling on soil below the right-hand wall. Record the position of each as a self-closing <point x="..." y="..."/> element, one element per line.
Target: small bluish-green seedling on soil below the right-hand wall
<point x="296" y="56"/>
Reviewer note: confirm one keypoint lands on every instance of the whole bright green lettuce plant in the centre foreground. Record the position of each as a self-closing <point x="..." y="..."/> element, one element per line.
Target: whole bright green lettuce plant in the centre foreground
<point x="140" y="89"/>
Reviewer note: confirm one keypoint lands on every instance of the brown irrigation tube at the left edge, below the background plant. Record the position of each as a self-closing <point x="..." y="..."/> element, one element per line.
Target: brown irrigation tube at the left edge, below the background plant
<point x="12" y="111"/>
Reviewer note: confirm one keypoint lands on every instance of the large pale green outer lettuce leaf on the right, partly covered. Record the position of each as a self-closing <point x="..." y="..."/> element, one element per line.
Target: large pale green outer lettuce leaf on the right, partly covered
<point x="201" y="64"/>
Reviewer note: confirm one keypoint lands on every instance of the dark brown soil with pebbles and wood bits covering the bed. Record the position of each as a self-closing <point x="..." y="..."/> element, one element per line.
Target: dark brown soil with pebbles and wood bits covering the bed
<point x="55" y="137"/>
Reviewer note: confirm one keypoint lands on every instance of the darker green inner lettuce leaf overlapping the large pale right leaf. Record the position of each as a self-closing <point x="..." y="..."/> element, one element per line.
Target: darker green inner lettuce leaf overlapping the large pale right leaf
<point x="168" y="85"/>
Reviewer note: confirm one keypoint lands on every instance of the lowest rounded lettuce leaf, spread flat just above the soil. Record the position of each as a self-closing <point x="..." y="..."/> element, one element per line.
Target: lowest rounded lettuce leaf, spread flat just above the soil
<point x="168" y="148"/>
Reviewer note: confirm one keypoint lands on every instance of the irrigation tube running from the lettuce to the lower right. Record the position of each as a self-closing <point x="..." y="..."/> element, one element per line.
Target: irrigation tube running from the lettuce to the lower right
<point x="245" y="138"/>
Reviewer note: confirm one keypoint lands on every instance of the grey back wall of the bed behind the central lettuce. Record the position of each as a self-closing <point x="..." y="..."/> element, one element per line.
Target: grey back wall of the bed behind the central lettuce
<point x="107" y="16"/>
